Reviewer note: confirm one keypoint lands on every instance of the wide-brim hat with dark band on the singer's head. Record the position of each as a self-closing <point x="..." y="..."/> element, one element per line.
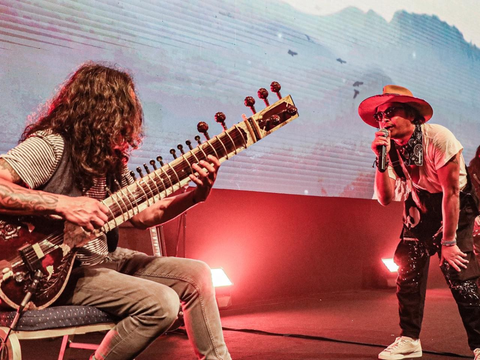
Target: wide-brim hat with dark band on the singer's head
<point x="392" y="93"/>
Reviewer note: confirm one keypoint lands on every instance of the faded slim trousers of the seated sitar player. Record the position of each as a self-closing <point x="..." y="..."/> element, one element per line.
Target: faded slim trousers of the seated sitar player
<point x="147" y="293"/>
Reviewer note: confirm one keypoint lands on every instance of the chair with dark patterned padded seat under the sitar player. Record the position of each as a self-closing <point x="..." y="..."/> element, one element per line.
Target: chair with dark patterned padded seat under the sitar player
<point x="56" y="321"/>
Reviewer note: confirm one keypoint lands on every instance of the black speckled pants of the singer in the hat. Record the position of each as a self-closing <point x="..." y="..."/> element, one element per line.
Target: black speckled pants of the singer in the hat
<point x="413" y="259"/>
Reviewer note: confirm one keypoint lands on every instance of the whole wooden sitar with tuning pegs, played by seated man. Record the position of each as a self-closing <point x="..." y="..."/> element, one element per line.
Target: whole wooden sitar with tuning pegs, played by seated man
<point x="32" y="245"/>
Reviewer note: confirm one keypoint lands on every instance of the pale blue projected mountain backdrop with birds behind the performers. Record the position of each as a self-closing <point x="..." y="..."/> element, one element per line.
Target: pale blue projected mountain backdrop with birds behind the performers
<point x="191" y="60"/>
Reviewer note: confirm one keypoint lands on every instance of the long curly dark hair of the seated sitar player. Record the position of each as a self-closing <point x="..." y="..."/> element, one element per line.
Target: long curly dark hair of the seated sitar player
<point x="98" y="114"/>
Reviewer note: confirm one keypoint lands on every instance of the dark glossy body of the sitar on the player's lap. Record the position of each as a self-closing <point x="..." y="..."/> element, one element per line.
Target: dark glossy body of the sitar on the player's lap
<point x="28" y="245"/>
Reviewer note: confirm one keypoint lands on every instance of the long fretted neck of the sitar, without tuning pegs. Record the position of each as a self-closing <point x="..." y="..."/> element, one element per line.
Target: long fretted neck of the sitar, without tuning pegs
<point x="162" y="182"/>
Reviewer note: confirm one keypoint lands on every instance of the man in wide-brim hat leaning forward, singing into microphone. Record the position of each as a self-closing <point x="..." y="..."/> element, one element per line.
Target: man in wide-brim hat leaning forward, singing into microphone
<point x="425" y="168"/>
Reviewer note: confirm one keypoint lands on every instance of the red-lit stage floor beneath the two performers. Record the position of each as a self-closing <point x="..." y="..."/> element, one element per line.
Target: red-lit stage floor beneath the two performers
<point x="347" y="325"/>
